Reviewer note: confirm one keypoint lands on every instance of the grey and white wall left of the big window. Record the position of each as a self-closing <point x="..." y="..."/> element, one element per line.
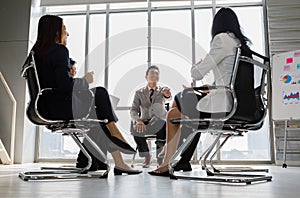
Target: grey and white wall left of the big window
<point x="14" y="44"/>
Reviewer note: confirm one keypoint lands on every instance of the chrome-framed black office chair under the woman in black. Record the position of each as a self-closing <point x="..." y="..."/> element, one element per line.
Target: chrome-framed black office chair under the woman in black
<point x="75" y="128"/>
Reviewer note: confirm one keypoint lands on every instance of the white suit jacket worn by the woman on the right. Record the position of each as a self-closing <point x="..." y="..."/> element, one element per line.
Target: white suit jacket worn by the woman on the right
<point x="220" y="60"/>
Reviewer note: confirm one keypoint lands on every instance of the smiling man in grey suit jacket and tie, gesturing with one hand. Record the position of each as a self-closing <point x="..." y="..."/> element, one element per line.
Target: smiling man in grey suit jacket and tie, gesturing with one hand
<point x="148" y="113"/>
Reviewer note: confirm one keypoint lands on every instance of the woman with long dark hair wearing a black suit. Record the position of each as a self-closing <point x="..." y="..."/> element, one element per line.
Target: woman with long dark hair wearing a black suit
<point x="53" y="68"/>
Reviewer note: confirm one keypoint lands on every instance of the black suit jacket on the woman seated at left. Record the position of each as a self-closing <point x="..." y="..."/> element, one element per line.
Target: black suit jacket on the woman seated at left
<point x="53" y="71"/>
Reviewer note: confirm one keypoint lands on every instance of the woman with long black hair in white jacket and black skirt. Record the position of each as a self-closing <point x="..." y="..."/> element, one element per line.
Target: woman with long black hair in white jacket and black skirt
<point x="226" y="37"/>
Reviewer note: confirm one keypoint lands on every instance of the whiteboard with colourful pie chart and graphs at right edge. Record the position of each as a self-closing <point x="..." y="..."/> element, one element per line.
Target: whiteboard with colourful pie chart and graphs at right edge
<point x="286" y="86"/>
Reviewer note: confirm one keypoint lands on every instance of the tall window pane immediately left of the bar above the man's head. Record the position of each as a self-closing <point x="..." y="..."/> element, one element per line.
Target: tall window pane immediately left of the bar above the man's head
<point x="127" y="54"/>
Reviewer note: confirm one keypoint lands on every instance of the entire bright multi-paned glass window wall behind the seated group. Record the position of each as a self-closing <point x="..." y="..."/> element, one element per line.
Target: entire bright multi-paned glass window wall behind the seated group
<point x="171" y="50"/>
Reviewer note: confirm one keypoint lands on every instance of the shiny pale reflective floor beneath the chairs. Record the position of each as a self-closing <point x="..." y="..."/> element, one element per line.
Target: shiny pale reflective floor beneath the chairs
<point x="285" y="184"/>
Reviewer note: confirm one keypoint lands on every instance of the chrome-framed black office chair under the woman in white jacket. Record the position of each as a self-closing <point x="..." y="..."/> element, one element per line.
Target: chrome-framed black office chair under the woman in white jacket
<point x="232" y="124"/>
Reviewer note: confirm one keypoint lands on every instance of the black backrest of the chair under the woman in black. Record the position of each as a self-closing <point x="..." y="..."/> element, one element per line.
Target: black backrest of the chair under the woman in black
<point x="29" y="72"/>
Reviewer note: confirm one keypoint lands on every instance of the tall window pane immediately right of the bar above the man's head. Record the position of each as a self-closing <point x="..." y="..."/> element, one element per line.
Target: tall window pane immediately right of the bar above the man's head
<point x="171" y="47"/>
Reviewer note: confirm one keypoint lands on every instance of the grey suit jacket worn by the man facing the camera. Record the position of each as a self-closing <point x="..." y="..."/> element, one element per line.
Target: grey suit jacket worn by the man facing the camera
<point x="144" y="109"/>
